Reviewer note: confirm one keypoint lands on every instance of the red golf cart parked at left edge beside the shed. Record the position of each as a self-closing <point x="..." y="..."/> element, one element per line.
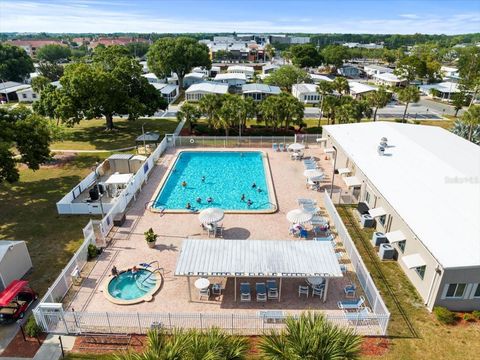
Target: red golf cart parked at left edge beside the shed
<point x="15" y="300"/>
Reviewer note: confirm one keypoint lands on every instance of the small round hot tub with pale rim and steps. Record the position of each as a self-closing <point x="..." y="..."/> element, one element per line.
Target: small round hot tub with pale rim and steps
<point x="128" y="288"/>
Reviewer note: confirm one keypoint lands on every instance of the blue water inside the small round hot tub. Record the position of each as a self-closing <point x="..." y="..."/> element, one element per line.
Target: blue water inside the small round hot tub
<point x="128" y="287"/>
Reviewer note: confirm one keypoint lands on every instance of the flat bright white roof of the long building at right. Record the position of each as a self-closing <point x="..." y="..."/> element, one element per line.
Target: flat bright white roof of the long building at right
<point x="430" y="176"/>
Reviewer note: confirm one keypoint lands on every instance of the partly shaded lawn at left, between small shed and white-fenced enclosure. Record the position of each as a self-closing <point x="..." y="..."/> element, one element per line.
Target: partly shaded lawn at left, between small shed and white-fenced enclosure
<point x="29" y="213"/>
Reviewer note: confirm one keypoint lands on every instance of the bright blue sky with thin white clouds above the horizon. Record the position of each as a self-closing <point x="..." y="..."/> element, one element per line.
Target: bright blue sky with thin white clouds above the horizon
<point x="242" y="16"/>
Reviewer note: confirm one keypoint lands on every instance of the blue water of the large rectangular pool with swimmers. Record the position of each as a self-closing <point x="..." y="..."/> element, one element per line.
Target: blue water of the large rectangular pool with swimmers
<point x="228" y="175"/>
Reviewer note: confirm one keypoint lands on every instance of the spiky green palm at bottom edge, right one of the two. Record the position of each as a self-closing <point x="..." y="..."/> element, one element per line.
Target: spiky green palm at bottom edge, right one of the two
<point x="311" y="336"/>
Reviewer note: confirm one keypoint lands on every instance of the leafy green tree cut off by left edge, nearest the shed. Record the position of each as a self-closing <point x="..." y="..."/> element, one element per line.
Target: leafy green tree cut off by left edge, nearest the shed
<point x="25" y="133"/>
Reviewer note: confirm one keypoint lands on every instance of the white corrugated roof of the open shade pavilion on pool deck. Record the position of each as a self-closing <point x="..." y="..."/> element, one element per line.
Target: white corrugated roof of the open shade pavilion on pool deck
<point x="257" y="258"/>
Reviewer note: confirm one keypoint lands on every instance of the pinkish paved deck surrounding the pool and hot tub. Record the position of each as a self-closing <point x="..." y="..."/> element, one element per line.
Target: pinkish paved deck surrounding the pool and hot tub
<point x="128" y="246"/>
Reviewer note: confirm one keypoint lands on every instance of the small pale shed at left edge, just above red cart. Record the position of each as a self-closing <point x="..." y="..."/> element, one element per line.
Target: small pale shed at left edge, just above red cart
<point x="15" y="261"/>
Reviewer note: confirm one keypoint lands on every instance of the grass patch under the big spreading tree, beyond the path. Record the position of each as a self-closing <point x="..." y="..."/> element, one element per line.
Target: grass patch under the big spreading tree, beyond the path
<point x="91" y="134"/>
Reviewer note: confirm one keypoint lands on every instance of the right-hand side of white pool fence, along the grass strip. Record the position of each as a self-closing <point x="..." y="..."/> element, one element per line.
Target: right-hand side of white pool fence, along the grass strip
<point x="364" y="278"/>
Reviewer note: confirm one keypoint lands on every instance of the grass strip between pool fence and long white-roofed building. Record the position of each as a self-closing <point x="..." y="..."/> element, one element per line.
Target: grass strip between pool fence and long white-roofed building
<point x="413" y="331"/>
